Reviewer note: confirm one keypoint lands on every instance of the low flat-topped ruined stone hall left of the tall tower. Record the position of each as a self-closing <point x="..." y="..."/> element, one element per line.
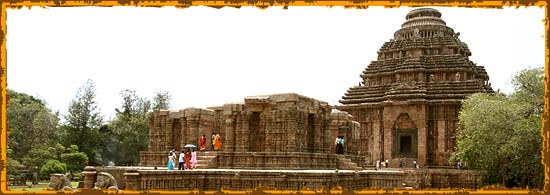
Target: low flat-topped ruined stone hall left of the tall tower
<point x="274" y="131"/>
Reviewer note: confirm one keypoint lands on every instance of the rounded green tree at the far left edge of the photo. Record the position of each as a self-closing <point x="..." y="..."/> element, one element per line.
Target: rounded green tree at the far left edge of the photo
<point x="31" y="124"/>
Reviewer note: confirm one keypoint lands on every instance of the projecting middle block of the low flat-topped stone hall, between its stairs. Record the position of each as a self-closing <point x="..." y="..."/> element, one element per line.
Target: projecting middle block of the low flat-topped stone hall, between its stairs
<point x="277" y="123"/>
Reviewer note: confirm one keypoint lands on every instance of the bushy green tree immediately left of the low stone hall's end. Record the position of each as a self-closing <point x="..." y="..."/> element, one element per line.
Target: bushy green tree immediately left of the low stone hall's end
<point x="131" y="128"/>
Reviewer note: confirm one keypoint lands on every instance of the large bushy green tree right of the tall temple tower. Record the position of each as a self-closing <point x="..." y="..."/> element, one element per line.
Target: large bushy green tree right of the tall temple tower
<point x="500" y="134"/>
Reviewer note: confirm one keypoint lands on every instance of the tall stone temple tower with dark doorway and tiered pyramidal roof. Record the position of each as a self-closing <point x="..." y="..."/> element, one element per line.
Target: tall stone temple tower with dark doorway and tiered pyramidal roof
<point x="409" y="100"/>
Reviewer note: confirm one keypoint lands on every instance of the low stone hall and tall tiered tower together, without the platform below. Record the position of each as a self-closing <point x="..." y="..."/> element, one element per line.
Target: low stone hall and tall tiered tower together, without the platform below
<point x="405" y="109"/>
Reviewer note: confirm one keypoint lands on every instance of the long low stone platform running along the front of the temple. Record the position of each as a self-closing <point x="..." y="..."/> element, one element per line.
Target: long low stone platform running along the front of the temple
<point x="148" y="178"/>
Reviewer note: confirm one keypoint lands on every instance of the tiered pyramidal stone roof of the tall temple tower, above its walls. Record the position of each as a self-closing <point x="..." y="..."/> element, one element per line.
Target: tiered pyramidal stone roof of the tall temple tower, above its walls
<point x="426" y="61"/>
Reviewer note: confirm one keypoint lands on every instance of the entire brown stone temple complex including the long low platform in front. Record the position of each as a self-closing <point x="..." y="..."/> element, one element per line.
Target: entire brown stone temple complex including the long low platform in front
<point x="405" y="109"/>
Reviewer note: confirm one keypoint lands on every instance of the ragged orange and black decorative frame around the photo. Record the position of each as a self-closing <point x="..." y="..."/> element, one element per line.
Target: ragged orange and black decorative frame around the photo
<point x="361" y="4"/>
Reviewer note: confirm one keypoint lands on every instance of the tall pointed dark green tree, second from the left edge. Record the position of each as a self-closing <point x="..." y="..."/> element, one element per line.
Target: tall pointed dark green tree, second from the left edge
<point x="82" y="123"/>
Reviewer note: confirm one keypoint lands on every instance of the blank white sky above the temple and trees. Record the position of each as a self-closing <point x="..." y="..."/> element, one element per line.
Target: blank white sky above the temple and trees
<point x="208" y="57"/>
